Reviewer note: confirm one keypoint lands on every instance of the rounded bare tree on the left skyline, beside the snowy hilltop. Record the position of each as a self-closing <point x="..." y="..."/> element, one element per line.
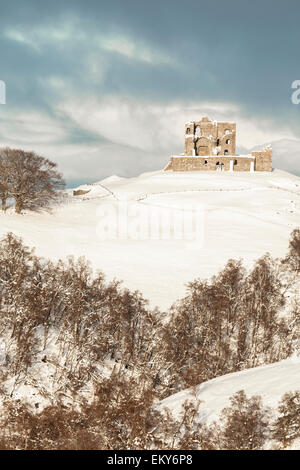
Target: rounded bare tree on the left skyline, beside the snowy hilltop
<point x="31" y="180"/>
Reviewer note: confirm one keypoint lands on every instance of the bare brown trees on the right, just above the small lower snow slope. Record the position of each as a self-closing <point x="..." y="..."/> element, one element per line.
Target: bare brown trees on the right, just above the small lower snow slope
<point x="230" y="323"/>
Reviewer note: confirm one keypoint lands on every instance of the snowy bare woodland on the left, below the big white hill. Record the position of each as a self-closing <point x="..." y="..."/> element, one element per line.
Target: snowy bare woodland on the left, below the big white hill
<point x="92" y="321"/>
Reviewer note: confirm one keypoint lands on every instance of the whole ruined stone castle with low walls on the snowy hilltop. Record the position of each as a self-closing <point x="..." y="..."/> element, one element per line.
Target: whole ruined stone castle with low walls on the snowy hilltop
<point x="210" y="145"/>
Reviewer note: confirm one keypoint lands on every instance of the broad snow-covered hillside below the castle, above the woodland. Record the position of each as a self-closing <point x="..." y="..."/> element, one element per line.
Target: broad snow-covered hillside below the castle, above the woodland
<point x="243" y="215"/>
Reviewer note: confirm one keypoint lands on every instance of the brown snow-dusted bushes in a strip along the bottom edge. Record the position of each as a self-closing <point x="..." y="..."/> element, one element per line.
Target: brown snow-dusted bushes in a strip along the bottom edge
<point x="121" y="416"/>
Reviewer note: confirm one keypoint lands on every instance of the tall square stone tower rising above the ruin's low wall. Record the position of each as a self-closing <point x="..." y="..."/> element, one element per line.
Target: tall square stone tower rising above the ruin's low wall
<point x="208" y="137"/>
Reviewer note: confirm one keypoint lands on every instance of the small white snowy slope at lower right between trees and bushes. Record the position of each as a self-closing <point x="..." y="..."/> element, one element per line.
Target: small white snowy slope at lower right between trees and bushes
<point x="271" y="382"/>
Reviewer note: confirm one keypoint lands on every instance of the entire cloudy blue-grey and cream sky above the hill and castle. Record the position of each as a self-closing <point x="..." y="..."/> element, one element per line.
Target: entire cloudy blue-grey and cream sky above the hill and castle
<point x="105" y="87"/>
